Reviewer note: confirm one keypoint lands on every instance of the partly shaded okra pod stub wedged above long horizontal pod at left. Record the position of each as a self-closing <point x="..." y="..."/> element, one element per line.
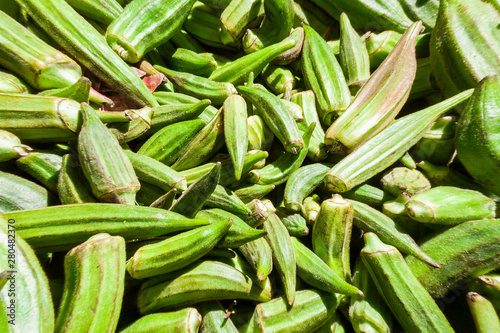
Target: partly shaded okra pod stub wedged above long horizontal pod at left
<point x="72" y="186"/>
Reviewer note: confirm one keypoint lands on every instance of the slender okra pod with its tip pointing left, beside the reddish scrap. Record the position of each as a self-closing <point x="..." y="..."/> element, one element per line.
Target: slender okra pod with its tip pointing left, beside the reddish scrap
<point x="199" y="87"/>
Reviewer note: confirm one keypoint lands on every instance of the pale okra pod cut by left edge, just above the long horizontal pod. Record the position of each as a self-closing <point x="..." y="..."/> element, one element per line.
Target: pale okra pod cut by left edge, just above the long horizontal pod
<point x="18" y="193"/>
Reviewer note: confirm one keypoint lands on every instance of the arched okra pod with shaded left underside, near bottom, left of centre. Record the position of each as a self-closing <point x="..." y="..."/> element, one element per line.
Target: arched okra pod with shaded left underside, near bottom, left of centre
<point x="199" y="282"/>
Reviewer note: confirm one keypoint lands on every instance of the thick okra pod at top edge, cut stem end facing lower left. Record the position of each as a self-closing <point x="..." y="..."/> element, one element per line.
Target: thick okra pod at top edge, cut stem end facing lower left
<point x="127" y="35"/>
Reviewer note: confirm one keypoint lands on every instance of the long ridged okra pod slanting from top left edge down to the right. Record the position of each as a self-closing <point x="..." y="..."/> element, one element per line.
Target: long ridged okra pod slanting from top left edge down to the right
<point x="84" y="43"/>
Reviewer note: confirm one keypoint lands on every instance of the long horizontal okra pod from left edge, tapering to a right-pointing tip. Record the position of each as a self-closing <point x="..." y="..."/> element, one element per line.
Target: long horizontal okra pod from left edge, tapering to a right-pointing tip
<point x="59" y="228"/>
